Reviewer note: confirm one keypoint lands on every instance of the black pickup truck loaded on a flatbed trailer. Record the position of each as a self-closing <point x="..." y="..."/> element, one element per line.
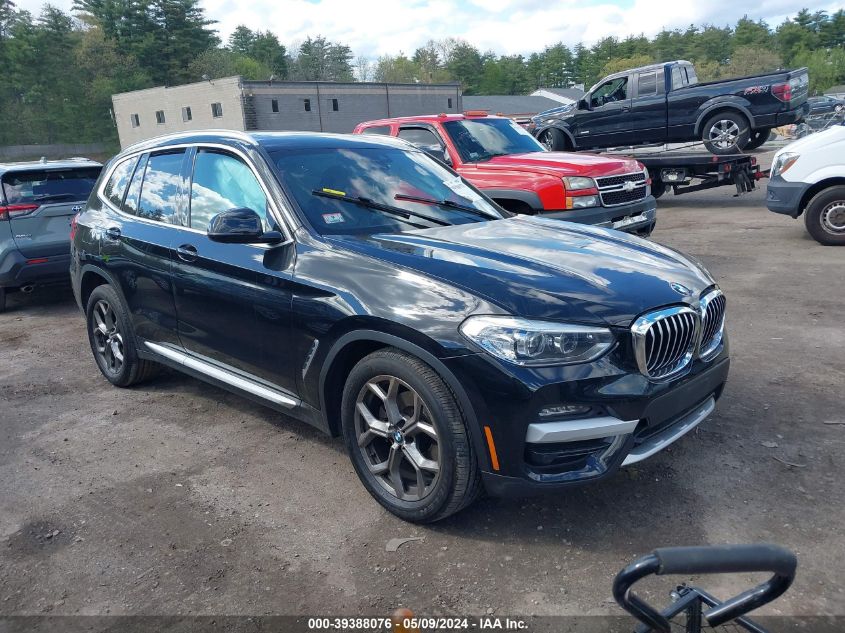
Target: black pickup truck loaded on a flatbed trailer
<point x="665" y="103"/>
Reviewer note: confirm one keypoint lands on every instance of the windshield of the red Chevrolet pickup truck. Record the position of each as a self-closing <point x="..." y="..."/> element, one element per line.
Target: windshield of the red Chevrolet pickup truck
<point x="481" y="139"/>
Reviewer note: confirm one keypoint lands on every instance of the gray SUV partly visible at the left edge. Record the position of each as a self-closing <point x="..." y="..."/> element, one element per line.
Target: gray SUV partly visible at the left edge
<point x="37" y="203"/>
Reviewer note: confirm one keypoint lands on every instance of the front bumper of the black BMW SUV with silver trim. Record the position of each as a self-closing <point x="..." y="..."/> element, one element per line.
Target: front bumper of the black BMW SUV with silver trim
<point x="630" y="419"/>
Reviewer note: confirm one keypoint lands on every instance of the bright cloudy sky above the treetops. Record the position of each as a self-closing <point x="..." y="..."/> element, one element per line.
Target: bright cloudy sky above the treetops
<point x="376" y="27"/>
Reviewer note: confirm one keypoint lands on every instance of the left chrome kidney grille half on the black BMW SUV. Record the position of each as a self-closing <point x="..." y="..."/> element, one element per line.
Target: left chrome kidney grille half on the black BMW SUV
<point x="665" y="341"/>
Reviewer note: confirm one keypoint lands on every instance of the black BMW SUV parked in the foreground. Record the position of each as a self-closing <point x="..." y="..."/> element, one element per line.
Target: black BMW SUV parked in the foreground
<point x="357" y="284"/>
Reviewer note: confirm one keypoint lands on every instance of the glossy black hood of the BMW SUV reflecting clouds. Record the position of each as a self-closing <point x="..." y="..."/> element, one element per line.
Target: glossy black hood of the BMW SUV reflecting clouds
<point x="546" y="269"/>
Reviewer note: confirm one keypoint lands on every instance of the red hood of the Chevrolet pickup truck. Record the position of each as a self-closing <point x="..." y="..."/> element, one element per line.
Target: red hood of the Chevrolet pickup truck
<point x="565" y="164"/>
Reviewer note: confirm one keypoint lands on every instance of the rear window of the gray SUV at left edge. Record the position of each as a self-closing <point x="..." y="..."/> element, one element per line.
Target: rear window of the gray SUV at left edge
<point x="49" y="185"/>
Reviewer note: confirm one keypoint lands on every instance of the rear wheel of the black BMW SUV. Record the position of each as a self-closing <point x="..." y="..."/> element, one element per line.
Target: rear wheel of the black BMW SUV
<point x="112" y="340"/>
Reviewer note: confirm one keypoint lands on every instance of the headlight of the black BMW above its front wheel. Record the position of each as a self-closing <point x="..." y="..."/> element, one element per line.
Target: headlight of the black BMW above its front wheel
<point x="527" y="342"/>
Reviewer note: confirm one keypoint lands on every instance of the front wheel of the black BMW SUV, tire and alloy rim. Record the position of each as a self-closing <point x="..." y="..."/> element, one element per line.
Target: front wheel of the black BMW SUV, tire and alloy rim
<point x="407" y="438"/>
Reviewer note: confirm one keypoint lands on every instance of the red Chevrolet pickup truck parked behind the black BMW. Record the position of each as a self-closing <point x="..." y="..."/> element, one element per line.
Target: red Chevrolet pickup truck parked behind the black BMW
<point x="509" y="165"/>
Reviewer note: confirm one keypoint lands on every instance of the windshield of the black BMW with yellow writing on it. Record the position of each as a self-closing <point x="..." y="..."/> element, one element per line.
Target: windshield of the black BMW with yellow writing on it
<point x="377" y="190"/>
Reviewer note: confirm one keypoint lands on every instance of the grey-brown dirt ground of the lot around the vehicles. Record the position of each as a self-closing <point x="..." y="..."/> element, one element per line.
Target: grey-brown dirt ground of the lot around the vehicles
<point x="179" y="498"/>
